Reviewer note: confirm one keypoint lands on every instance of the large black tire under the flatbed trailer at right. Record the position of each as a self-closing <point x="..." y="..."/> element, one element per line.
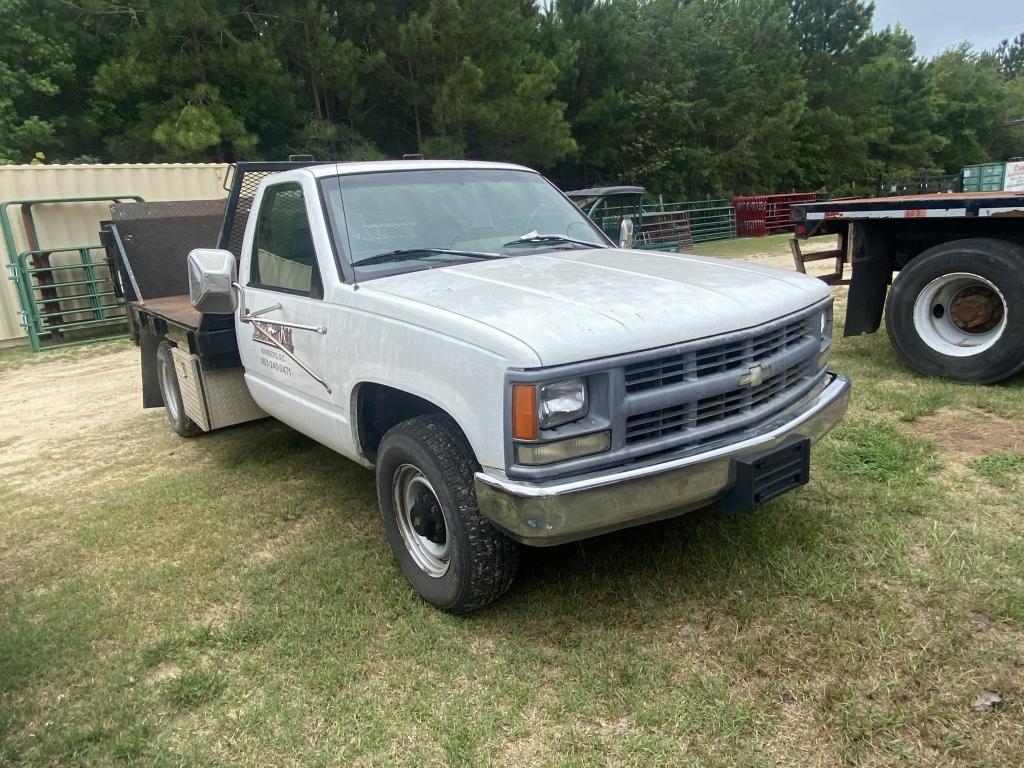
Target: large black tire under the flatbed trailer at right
<point x="914" y="334"/>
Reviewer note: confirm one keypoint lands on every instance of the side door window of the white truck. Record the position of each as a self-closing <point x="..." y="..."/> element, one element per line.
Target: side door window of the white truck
<point x="284" y="258"/>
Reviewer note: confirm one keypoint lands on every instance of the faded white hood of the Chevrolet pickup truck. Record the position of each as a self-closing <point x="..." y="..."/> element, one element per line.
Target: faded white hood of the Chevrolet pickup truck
<point x="571" y="307"/>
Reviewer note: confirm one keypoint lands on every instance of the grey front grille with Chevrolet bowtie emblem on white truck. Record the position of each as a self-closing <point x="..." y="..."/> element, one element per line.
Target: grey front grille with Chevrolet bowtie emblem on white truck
<point x="695" y="395"/>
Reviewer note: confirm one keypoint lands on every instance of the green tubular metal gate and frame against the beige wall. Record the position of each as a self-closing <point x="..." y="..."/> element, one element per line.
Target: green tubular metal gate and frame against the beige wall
<point x="66" y="293"/>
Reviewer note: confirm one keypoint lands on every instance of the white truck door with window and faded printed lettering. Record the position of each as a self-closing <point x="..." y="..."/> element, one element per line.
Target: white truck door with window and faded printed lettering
<point x="284" y="334"/>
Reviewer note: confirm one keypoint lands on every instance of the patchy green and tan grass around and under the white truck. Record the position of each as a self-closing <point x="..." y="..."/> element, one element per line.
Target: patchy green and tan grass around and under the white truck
<point x="233" y="601"/>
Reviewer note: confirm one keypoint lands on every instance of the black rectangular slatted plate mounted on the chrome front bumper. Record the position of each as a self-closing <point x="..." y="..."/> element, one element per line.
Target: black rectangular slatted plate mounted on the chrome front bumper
<point x="760" y="478"/>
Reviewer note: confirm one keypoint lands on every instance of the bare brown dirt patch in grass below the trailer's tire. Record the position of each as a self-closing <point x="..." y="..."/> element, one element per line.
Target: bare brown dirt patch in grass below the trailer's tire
<point x="963" y="435"/>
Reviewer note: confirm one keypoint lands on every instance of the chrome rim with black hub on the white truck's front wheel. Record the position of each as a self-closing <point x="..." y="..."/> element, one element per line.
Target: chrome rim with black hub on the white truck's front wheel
<point x="421" y="522"/>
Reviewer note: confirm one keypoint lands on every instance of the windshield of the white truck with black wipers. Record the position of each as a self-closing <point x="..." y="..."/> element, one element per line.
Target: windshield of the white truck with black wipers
<point x="402" y="222"/>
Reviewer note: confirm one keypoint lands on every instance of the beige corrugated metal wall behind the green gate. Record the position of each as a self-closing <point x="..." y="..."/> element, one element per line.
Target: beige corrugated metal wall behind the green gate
<point x="78" y="225"/>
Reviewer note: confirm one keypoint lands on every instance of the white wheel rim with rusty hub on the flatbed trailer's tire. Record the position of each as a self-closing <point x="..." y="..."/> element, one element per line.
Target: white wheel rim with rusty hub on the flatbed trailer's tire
<point x="961" y="315"/>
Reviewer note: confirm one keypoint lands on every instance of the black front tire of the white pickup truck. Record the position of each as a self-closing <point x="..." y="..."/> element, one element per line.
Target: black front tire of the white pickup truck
<point x="481" y="563"/>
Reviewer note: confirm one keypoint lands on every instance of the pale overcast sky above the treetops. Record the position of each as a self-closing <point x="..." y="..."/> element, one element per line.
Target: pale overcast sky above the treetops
<point x="938" y="25"/>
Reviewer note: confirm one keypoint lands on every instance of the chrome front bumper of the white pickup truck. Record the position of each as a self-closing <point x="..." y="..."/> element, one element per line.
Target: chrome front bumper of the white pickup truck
<point x="546" y="515"/>
